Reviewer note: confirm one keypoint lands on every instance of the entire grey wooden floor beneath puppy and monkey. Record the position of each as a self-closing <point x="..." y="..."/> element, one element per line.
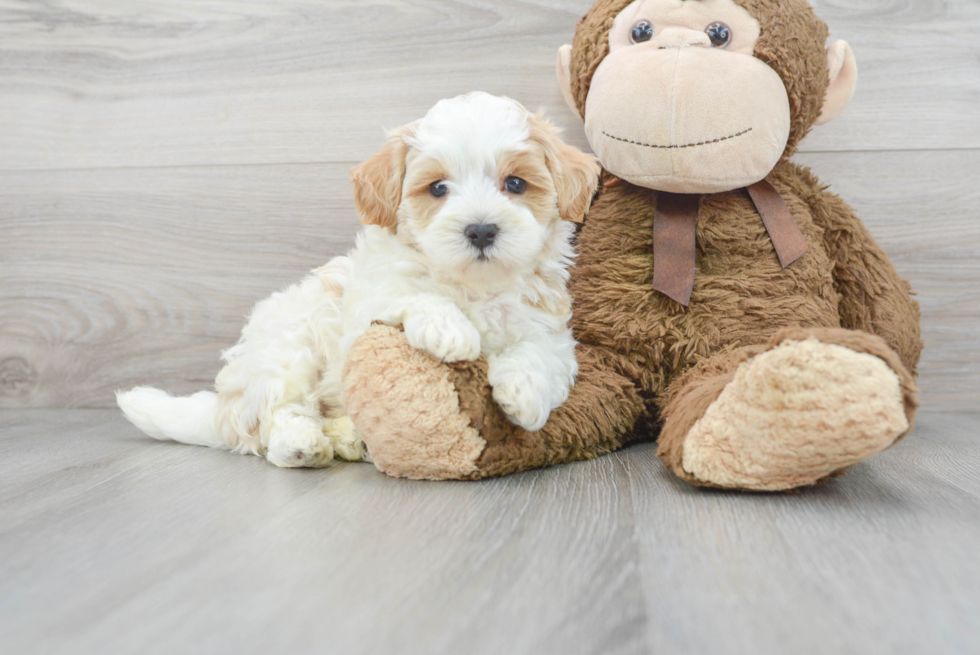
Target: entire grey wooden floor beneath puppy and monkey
<point x="113" y="543"/>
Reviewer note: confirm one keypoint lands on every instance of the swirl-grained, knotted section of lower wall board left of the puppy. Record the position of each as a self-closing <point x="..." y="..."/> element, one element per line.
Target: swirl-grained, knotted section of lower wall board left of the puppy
<point x="115" y="276"/>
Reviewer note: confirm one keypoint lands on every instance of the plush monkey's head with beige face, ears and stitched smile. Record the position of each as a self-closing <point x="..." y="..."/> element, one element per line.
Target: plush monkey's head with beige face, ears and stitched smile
<point x="702" y="96"/>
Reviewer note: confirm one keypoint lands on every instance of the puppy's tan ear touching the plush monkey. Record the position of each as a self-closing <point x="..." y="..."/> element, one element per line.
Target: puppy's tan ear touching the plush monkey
<point x="576" y="174"/>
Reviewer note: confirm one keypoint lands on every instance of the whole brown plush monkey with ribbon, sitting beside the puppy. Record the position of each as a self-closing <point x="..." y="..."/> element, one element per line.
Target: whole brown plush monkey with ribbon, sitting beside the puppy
<point x="724" y="302"/>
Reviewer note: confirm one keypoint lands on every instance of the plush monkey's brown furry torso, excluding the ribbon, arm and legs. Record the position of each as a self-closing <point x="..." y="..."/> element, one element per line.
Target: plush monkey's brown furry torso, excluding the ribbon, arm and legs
<point x="742" y="296"/>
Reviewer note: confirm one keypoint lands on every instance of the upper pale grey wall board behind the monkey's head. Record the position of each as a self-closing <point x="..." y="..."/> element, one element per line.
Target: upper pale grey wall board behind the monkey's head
<point x="89" y="83"/>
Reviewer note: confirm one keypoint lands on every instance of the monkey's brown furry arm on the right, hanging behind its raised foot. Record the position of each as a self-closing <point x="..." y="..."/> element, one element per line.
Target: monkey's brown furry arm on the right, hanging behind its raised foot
<point x="874" y="298"/>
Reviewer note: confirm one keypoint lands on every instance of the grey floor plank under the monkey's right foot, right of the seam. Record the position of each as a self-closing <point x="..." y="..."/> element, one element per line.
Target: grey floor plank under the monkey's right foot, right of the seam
<point x="882" y="560"/>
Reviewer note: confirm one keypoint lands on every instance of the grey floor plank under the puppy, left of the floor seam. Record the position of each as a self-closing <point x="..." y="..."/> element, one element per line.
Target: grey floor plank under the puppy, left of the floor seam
<point x="110" y="542"/>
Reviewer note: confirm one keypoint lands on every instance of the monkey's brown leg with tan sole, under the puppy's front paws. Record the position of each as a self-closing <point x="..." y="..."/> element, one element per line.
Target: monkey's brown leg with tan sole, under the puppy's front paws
<point x="424" y="419"/>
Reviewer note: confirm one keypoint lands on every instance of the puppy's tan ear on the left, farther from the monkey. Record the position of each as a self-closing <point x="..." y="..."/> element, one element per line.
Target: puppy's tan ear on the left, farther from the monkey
<point x="378" y="182"/>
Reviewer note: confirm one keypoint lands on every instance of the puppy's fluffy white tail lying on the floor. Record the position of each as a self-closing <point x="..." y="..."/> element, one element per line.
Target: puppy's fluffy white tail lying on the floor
<point x="191" y="420"/>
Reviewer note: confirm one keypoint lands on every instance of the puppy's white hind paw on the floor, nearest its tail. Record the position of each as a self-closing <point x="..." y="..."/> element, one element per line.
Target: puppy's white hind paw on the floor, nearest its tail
<point x="297" y="440"/>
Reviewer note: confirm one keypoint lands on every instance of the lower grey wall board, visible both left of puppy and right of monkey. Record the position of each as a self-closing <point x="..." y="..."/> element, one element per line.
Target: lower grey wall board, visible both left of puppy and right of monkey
<point x="114" y="278"/>
